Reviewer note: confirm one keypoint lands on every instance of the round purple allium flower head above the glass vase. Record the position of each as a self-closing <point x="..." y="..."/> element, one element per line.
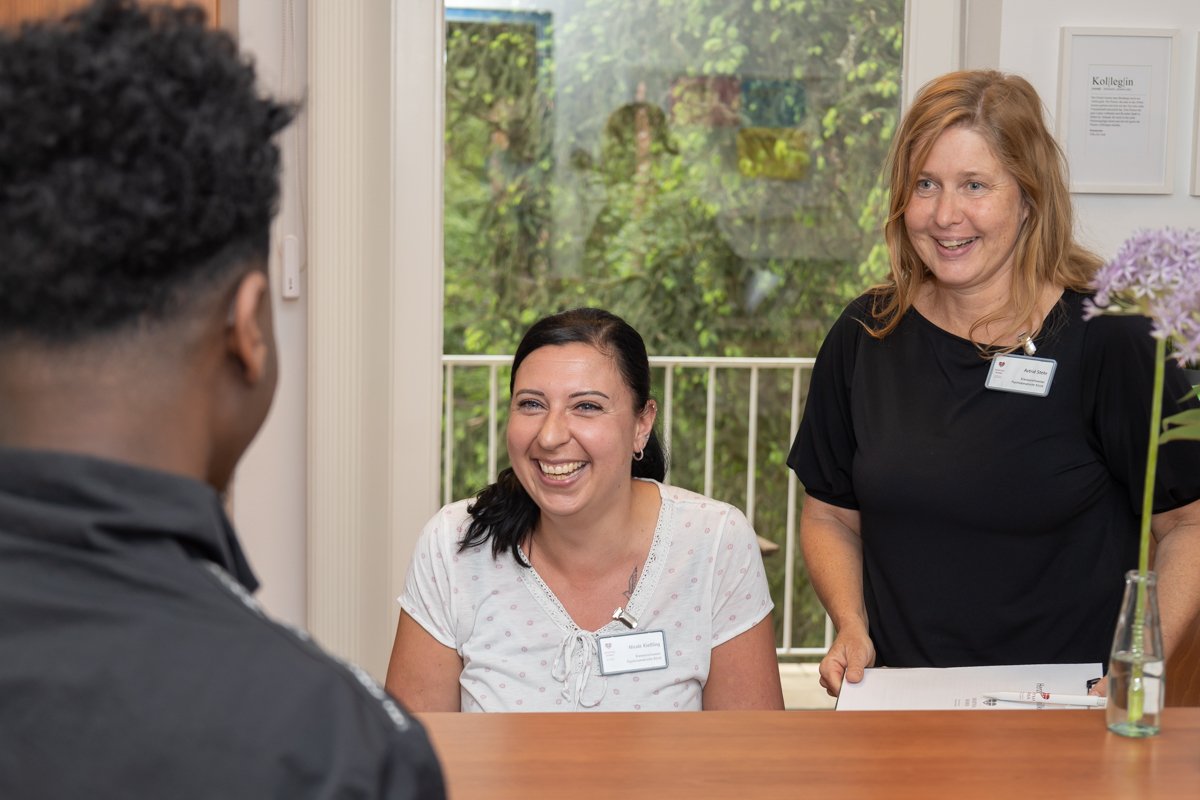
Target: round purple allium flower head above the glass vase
<point x="1156" y="274"/>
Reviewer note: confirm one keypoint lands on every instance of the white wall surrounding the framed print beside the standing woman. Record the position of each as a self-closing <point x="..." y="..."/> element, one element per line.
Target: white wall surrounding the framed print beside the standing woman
<point x="1029" y="46"/>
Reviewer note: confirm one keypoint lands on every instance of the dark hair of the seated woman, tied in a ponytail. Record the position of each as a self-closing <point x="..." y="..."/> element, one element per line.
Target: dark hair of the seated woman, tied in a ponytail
<point x="503" y="512"/>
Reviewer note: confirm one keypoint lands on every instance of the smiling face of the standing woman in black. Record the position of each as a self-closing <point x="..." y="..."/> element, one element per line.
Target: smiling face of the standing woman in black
<point x="965" y="214"/>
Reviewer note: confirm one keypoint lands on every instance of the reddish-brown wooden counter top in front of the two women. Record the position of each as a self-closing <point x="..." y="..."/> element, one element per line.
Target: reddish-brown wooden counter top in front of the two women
<point x="837" y="755"/>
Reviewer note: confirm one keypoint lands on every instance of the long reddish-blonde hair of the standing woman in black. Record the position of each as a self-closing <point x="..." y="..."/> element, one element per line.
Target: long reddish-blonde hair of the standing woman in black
<point x="1006" y="111"/>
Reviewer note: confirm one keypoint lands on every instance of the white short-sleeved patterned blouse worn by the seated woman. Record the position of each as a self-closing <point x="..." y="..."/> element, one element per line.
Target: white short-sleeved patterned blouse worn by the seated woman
<point x="703" y="585"/>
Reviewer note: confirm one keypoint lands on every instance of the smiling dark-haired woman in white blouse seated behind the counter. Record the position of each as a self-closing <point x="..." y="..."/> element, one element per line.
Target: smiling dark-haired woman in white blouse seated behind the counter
<point x="579" y="581"/>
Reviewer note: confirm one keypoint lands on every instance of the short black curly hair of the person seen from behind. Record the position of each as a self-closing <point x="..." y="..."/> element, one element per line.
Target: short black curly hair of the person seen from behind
<point x="137" y="165"/>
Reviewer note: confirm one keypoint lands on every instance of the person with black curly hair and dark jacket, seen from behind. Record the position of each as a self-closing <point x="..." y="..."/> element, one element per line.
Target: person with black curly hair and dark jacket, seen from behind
<point x="139" y="179"/>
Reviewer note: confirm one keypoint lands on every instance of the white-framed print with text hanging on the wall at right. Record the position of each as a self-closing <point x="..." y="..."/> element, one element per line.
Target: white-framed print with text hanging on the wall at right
<point x="1115" y="109"/>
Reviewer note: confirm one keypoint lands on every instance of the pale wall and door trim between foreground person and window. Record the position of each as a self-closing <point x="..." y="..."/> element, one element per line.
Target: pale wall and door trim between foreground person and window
<point x="329" y="530"/>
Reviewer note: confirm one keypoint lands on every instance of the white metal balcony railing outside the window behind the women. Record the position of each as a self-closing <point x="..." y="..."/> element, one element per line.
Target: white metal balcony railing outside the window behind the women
<point x="671" y="368"/>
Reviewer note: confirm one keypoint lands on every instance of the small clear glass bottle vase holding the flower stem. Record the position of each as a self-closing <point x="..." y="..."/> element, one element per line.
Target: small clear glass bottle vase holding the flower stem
<point x="1136" y="677"/>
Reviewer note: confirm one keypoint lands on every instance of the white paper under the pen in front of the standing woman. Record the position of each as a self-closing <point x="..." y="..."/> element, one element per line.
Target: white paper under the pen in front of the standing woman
<point x="963" y="688"/>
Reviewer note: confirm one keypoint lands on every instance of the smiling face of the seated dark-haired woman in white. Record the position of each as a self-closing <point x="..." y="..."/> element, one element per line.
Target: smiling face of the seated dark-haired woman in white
<point x="573" y="430"/>
